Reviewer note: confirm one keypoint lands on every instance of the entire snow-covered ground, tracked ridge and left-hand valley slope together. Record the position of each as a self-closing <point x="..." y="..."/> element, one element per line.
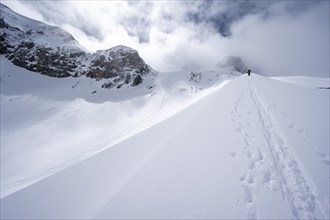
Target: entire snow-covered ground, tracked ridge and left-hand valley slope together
<point x="252" y="147"/>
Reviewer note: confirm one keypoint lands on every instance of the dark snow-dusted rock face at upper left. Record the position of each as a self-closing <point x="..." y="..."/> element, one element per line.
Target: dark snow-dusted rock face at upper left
<point x="31" y="45"/>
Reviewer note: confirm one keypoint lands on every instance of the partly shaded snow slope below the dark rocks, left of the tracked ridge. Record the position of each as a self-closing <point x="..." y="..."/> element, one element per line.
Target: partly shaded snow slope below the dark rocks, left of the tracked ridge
<point x="81" y="117"/>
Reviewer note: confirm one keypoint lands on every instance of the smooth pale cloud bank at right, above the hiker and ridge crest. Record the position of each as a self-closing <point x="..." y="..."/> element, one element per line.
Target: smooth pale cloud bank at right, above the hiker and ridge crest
<point x="288" y="45"/>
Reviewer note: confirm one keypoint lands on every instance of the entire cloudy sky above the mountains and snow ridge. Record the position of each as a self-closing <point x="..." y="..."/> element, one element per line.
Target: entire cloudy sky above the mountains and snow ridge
<point x="273" y="38"/>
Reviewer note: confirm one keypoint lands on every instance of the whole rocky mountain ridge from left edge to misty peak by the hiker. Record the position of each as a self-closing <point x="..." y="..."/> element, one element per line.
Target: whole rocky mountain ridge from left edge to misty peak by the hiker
<point x="51" y="51"/>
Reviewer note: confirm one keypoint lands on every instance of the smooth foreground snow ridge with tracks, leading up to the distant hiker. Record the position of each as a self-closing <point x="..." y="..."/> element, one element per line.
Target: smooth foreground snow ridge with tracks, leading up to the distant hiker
<point x="255" y="148"/>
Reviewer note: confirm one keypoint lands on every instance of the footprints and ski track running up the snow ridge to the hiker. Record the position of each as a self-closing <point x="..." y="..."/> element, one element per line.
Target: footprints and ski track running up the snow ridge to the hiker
<point x="274" y="166"/>
